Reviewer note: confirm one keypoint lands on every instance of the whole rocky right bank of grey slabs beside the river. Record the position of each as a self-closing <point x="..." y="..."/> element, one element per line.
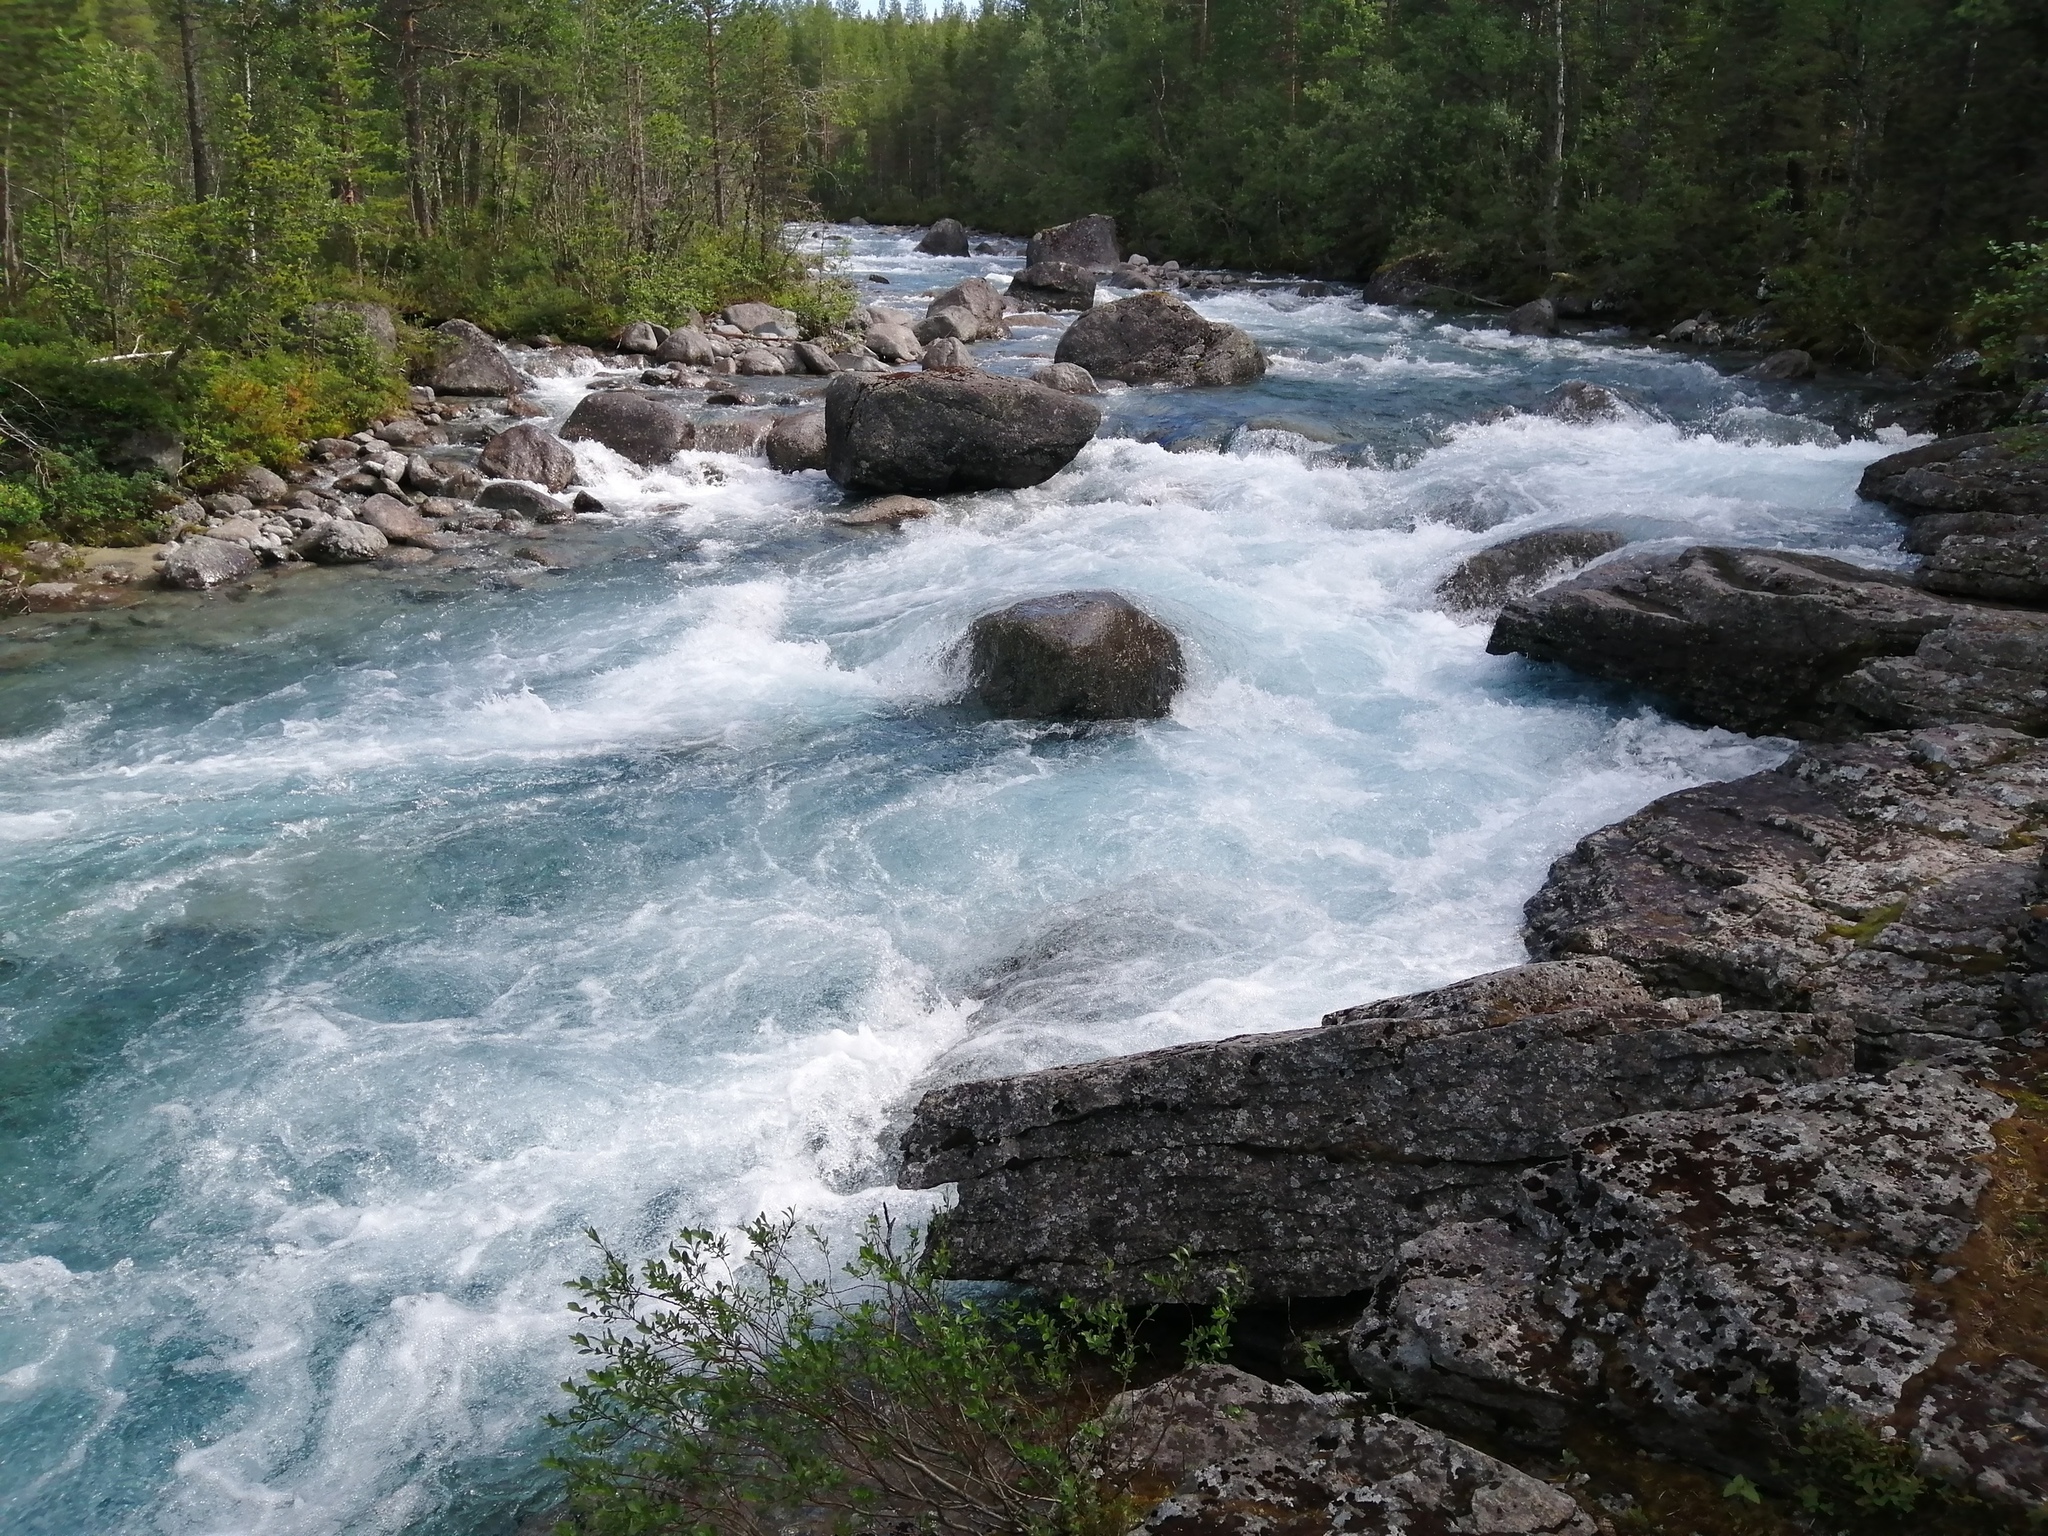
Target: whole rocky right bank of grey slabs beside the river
<point x="1758" y="1134"/>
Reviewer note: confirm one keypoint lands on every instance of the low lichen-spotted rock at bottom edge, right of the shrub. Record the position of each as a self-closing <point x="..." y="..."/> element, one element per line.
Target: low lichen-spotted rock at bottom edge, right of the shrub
<point x="1242" y="1455"/>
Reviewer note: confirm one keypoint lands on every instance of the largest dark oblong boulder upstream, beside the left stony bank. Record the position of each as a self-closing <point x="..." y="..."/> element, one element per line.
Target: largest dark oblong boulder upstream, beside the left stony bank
<point x="935" y="433"/>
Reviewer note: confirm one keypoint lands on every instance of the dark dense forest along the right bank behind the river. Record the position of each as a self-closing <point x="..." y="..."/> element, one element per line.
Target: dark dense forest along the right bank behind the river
<point x="1844" y="163"/>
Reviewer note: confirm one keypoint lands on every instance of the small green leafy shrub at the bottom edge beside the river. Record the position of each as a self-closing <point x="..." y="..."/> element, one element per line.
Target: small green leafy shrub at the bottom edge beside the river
<point x="738" y="1390"/>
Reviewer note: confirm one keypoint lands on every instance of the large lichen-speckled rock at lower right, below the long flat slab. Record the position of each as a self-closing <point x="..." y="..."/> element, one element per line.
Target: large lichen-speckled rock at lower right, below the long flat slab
<point x="1703" y="1281"/>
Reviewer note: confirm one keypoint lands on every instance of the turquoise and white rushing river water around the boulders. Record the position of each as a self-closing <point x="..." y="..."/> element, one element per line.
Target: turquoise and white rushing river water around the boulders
<point x="366" y="939"/>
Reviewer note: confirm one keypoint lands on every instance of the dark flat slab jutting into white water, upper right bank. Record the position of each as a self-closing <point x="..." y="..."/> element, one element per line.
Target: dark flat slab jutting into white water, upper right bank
<point x="1777" y="644"/>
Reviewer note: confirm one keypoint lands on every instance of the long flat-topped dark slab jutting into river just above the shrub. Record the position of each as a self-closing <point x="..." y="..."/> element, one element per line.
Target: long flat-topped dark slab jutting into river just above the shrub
<point x="1308" y="1158"/>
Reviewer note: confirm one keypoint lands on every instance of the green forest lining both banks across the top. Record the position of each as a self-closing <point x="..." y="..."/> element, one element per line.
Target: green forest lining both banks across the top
<point x="187" y="187"/>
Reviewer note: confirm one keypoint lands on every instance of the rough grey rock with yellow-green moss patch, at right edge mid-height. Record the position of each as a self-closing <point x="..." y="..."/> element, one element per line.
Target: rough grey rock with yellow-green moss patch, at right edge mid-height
<point x="1887" y="882"/>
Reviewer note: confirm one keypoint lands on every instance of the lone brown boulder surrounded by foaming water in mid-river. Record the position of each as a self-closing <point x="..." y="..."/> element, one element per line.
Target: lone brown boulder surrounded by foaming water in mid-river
<point x="1076" y="656"/>
